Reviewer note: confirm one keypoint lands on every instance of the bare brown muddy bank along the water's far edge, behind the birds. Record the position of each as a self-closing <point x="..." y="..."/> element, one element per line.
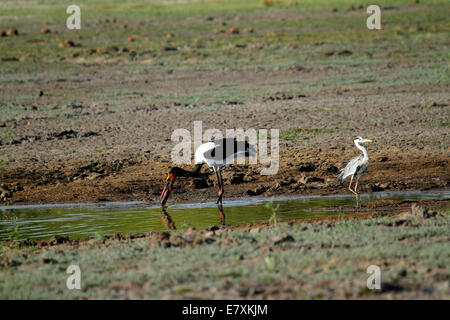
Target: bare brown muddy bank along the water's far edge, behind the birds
<point x="299" y="173"/>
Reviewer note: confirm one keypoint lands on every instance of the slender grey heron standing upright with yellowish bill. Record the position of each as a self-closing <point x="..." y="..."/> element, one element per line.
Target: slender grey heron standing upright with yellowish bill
<point x="355" y="167"/>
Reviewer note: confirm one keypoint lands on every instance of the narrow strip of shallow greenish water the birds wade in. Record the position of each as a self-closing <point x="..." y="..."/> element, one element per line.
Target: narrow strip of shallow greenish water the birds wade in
<point x="83" y="220"/>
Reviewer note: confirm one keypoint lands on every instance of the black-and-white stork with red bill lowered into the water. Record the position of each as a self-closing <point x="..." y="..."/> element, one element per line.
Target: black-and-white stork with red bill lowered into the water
<point x="216" y="154"/>
